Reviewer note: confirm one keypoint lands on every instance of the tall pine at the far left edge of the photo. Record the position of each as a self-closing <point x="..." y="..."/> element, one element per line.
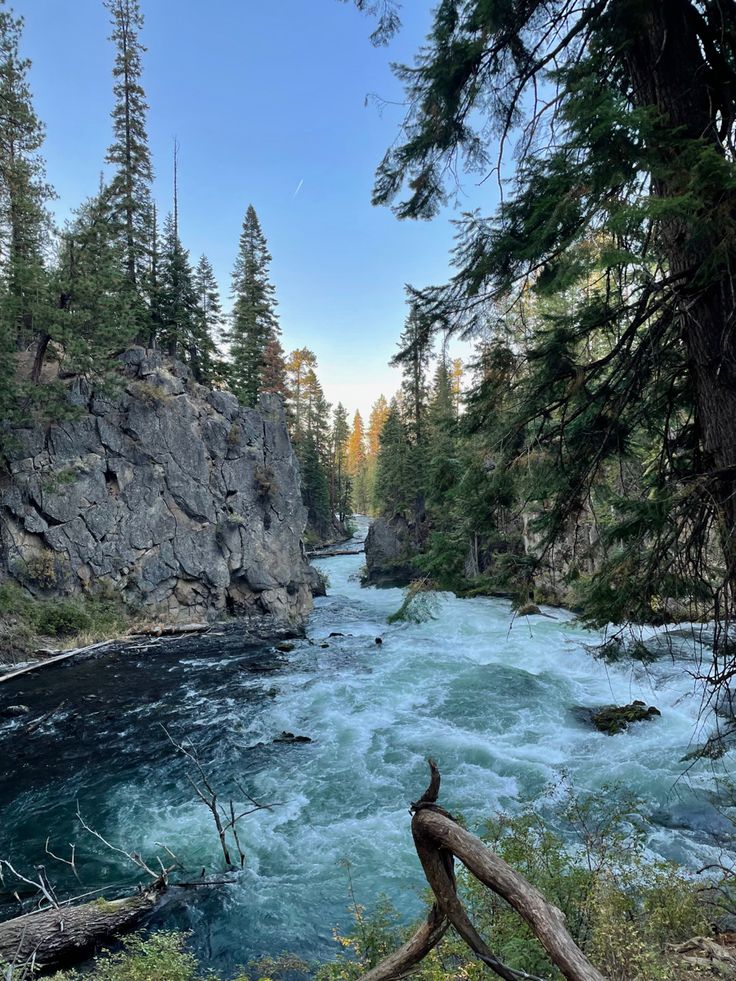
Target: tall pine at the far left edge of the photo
<point x="24" y="193"/>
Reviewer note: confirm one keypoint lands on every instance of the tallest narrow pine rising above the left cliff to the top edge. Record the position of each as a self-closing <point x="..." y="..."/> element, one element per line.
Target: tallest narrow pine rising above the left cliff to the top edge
<point x="129" y="152"/>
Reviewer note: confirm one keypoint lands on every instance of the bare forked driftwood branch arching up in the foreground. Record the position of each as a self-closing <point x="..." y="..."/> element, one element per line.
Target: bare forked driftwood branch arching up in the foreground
<point x="439" y="839"/>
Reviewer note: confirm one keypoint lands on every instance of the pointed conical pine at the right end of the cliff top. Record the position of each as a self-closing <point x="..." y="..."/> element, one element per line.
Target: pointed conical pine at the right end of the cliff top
<point x="253" y="322"/>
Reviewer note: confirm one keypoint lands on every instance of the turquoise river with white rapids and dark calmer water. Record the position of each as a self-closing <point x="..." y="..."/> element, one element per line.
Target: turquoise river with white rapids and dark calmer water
<point x="492" y="698"/>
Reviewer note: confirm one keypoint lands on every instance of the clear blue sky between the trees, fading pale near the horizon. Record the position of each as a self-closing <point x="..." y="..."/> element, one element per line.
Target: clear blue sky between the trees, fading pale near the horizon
<point x="268" y="101"/>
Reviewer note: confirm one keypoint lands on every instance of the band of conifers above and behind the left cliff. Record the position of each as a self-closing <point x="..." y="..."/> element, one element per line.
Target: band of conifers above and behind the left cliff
<point x="73" y="298"/>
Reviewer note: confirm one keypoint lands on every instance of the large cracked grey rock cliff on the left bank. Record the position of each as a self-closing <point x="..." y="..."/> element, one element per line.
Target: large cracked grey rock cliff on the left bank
<point x="178" y="498"/>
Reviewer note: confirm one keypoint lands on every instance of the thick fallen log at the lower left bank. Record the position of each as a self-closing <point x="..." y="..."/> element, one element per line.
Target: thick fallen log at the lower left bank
<point x="57" y="936"/>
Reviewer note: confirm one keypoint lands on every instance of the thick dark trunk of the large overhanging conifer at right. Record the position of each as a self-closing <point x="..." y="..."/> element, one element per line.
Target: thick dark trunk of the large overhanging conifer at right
<point x="668" y="71"/>
